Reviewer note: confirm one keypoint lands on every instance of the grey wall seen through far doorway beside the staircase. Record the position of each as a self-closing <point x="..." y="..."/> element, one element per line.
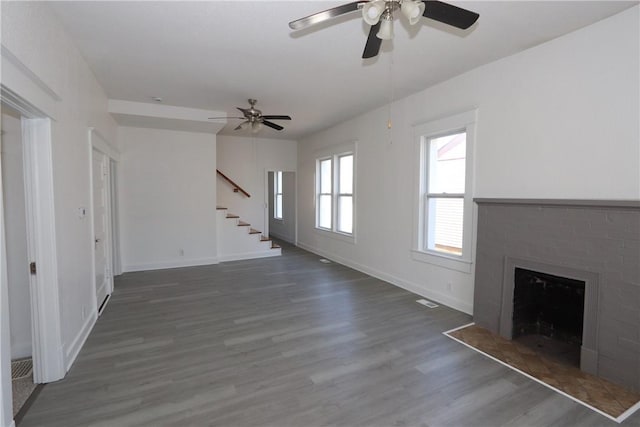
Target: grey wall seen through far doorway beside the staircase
<point x="284" y="229"/>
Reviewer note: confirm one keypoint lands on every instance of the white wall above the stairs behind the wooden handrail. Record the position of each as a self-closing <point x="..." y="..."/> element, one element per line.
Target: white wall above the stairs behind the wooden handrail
<point x="247" y="161"/>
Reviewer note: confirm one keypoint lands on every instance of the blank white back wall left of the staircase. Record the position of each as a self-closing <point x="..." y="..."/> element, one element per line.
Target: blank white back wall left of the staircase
<point x="167" y="198"/>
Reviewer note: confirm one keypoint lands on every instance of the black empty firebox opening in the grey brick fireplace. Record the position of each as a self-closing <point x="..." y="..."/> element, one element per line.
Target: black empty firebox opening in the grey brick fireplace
<point x="548" y="313"/>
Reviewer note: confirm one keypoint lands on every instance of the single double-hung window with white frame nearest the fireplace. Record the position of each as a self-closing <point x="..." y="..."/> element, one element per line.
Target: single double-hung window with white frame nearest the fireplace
<point x="445" y="204"/>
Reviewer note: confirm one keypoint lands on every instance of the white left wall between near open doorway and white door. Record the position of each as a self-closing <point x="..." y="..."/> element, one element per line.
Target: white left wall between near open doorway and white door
<point x="49" y="61"/>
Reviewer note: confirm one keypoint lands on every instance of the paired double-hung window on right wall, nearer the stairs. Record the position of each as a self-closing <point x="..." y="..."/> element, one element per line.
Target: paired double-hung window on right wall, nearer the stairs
<point x="335" y="193"/>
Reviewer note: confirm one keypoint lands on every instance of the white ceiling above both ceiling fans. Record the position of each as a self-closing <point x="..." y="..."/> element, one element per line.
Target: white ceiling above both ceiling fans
<point x="213" y="55"/>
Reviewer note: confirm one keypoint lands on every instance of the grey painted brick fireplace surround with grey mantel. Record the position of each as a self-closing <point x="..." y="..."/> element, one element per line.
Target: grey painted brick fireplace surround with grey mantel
<point x="599" y="240"/>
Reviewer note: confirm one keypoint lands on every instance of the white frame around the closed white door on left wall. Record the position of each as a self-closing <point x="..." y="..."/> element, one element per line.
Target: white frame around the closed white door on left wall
<point x="98" y="143"/>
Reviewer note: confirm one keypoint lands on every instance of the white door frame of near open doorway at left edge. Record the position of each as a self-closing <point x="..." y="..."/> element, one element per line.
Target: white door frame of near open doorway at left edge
<point x="48" y="356"/>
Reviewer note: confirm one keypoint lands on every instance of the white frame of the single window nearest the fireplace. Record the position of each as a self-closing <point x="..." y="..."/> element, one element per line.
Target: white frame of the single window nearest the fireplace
<point x="424" y="133"/>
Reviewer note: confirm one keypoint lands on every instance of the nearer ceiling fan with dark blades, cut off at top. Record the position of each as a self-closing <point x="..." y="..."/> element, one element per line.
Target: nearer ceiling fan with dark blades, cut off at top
<point x="379" y="14"/>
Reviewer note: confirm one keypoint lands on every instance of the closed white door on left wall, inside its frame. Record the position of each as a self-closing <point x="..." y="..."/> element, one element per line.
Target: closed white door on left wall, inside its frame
<point x="100" y="212"/>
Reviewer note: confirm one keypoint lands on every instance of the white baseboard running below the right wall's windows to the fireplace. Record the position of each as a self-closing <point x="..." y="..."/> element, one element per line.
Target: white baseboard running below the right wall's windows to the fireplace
<point x="401" y="283"/>
